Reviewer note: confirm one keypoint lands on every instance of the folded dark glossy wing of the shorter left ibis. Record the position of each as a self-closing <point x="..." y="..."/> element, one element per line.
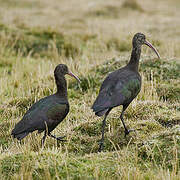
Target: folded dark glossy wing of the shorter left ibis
<point x="36" y="118"/>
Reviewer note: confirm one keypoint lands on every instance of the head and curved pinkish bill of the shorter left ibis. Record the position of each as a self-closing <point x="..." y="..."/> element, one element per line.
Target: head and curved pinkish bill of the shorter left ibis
<point x="62" y="70"/>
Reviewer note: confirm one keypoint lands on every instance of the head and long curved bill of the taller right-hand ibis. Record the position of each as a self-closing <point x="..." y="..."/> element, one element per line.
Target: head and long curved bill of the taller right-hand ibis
<point x="139" y="39"/>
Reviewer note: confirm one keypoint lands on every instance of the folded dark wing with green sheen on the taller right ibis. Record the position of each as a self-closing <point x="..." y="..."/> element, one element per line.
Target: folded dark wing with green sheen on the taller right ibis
<point x="116" y="91"/>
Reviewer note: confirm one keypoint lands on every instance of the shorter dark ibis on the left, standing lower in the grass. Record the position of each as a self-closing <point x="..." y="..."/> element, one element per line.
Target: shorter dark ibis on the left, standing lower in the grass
<point x="48" y="112"/>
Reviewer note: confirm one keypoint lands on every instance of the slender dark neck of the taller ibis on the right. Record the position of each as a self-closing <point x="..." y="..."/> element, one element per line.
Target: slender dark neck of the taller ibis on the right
<point x="134" y="60"/>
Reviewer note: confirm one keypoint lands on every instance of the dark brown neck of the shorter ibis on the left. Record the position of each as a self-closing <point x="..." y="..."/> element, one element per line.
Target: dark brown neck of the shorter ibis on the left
<point x="61" y="86"/>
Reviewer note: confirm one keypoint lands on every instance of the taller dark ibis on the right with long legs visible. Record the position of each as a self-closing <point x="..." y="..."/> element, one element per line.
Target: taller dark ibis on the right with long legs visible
<point x="121" y="86"/>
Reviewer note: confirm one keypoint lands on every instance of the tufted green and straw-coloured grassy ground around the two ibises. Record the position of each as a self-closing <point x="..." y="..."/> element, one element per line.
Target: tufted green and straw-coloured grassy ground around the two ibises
<point x="93" y="38"/>
